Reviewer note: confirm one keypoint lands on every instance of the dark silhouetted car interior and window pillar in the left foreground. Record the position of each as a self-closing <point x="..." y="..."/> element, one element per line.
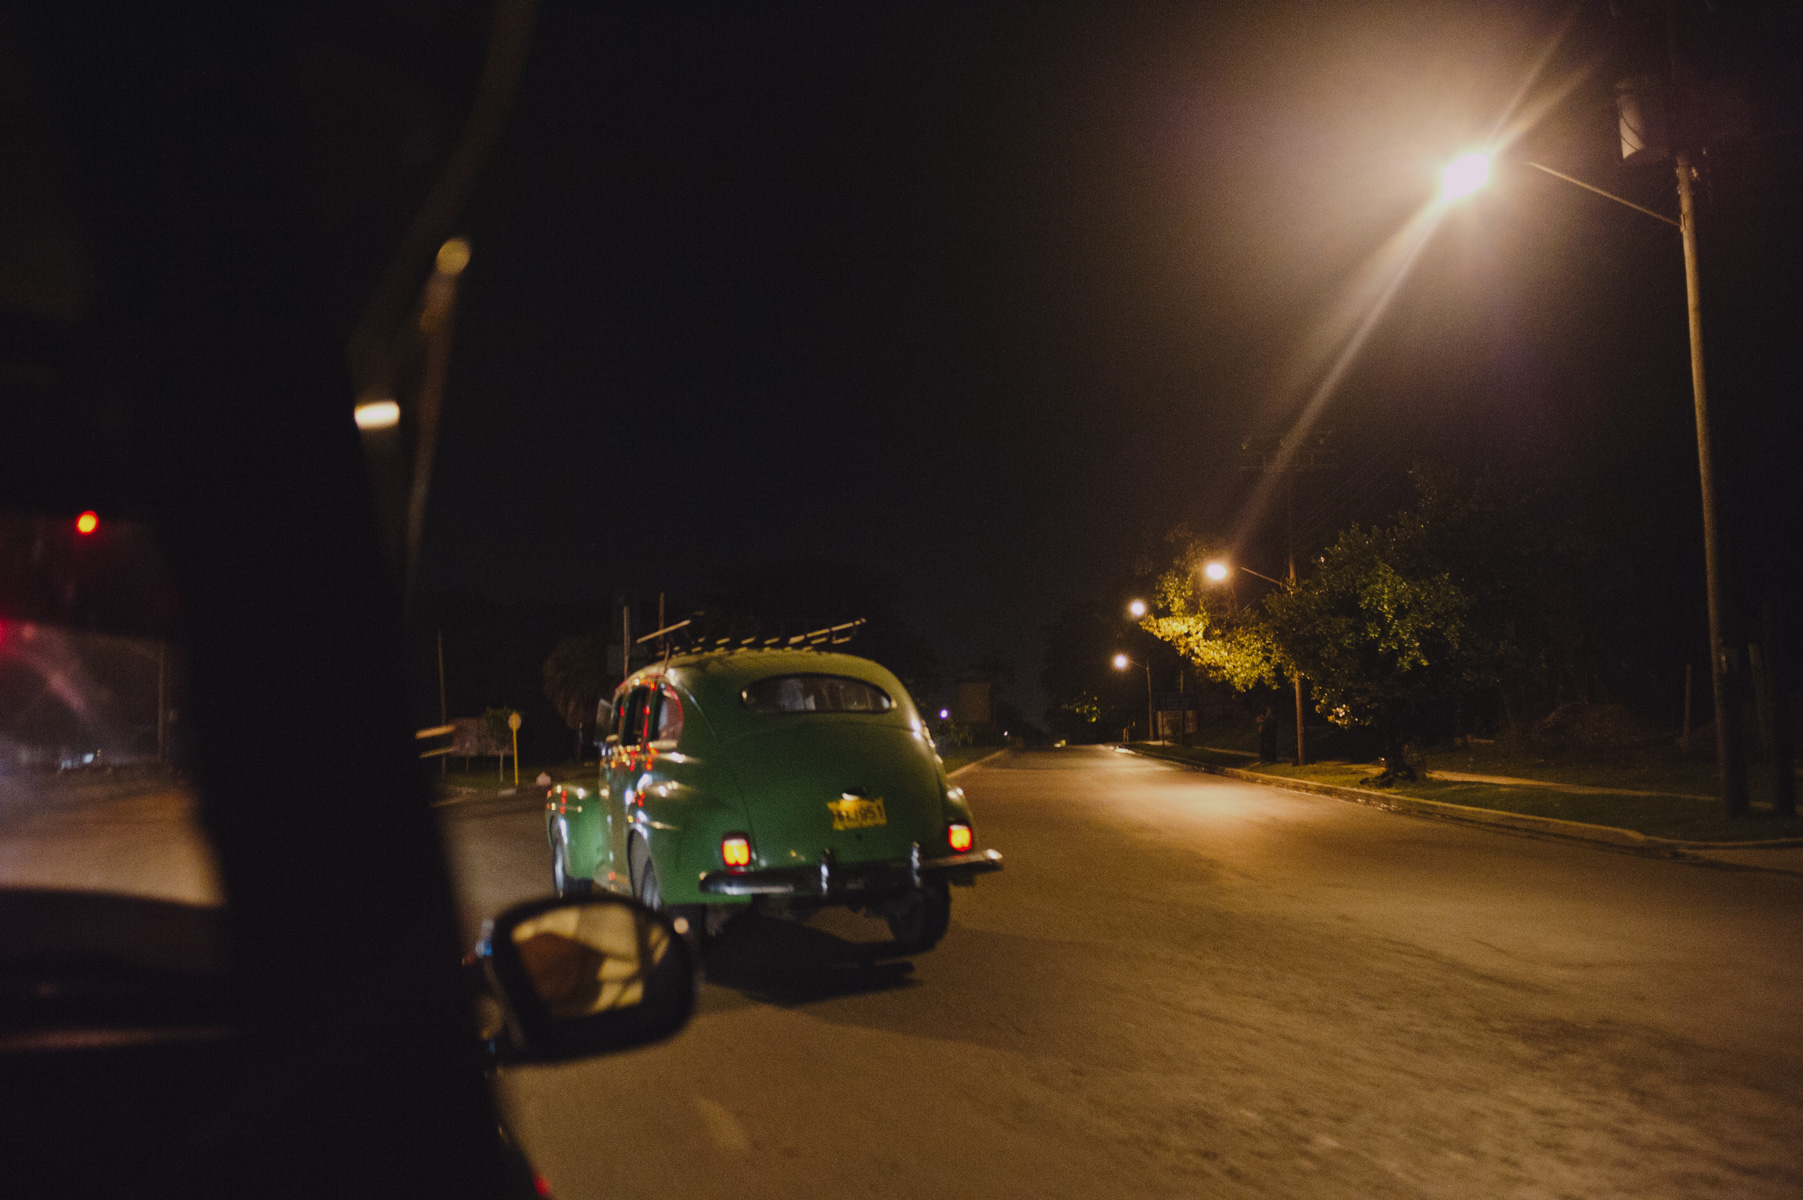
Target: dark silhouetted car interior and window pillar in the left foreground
<point x="214" y="248"/>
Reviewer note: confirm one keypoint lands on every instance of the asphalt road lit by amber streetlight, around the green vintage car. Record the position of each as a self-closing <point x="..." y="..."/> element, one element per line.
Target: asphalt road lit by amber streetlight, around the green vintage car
<point x="1187" y="986"/>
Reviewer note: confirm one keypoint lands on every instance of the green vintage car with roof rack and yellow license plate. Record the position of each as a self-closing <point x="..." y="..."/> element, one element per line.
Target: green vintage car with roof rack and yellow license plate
<point x="782" y="779"/>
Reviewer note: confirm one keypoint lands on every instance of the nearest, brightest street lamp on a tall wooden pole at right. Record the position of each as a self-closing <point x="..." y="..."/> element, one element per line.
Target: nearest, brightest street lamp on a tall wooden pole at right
<point x="1732" y="772"/>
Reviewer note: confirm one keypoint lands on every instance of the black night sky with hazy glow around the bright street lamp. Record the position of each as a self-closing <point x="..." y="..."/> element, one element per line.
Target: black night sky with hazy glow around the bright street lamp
<point x="987" y="296"/>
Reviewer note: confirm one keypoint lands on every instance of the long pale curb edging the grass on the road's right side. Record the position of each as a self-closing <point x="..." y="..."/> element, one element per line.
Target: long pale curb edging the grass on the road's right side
<point x="1784" y="855"/>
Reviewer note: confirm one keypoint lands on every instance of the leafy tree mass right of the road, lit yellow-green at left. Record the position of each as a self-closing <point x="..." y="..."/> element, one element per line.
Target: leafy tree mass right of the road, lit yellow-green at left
<point x="1476" y="606"/>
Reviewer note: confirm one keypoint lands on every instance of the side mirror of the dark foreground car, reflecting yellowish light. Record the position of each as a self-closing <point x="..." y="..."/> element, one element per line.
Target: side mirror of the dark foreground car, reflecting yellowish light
<point x="581" y="977"/>
